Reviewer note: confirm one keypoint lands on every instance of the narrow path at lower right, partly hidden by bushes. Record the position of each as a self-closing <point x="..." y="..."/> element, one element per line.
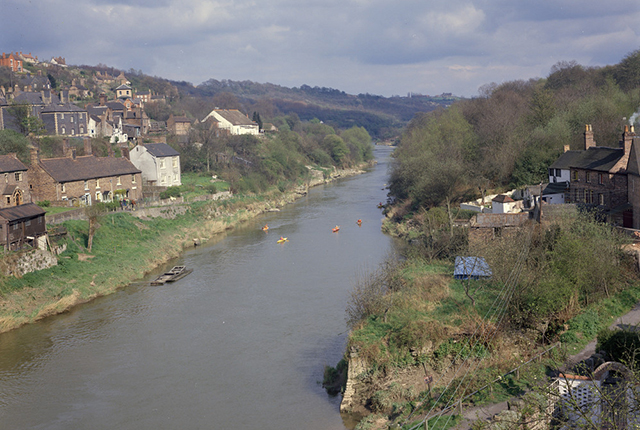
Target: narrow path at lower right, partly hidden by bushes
<point x="629" y="320"/>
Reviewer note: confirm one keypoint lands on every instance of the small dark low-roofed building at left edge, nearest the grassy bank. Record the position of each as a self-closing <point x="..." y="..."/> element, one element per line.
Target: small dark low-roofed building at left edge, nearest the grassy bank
<point x="21" y="224"/>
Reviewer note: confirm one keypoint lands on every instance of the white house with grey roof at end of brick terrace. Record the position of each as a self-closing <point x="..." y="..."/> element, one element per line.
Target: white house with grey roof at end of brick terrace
<point x="159" y="163"/>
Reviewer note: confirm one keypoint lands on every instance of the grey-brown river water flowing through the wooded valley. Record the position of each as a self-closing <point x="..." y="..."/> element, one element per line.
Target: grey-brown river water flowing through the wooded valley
<point x="240" y="343"/>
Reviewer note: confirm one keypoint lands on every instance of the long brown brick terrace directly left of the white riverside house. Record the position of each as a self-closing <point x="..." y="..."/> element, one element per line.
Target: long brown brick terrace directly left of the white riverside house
<point x="83" y="180"/>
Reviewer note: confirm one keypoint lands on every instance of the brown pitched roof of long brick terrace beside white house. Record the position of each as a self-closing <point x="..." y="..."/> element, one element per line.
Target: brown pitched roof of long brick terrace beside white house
<point x="86" y="167"/>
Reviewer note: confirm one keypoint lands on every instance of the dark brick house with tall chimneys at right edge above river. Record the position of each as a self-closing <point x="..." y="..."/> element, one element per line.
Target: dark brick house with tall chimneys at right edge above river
<point x="598" y="177"/>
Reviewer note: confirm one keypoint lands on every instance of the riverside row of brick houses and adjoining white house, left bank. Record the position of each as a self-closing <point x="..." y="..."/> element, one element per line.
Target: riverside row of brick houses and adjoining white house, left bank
<point x="75" y="180"/>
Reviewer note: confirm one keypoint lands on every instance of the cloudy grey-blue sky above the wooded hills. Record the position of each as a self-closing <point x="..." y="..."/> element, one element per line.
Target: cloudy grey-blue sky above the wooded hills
<point x="359" y="46"/>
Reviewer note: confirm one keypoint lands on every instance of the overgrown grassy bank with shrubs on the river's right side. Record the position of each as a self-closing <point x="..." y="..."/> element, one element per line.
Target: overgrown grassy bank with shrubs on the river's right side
<point x="411" y="319"/>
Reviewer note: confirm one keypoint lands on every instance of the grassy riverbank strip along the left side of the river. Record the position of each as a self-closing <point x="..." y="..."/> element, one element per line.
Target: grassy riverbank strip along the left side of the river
<point x="127" y="248"/>
